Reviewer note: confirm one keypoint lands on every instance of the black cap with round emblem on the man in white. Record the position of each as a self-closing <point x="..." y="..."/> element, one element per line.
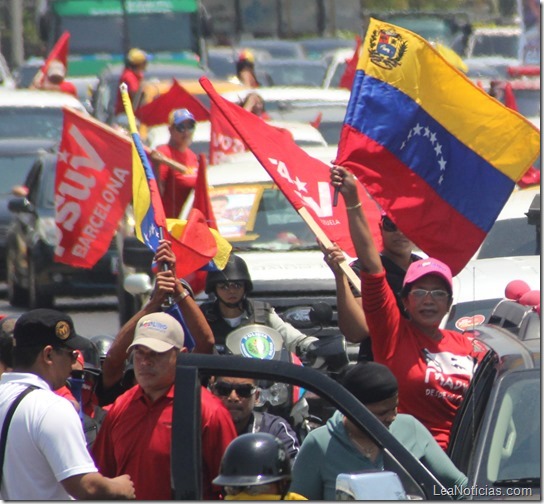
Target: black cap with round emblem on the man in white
<point x="42" y="327"/>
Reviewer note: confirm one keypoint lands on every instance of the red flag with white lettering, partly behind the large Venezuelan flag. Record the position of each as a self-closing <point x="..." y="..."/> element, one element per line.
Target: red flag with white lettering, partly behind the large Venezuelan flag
<point x="303" y="179"/>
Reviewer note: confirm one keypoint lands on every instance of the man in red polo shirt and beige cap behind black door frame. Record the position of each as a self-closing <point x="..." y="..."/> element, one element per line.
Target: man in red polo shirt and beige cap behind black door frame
<point x="136" y="435"/>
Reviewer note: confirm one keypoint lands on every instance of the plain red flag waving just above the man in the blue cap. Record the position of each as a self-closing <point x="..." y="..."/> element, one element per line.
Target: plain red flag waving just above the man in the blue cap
<point x="157" y="111"/>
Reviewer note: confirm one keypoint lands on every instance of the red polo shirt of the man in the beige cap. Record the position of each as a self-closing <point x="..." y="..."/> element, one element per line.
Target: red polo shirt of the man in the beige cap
<point x="136" y="435"/>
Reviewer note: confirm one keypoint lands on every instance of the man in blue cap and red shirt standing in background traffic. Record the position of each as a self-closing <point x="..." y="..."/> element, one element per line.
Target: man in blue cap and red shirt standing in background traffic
<point x="175" y="186"/>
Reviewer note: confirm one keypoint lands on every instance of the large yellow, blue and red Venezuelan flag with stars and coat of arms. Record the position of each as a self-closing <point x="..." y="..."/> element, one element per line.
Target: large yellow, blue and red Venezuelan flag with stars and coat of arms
<point x="437" y="152"/>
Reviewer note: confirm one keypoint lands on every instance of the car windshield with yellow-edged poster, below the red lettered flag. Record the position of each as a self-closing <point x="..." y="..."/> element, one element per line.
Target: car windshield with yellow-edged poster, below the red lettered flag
<point x="259" y="217"/>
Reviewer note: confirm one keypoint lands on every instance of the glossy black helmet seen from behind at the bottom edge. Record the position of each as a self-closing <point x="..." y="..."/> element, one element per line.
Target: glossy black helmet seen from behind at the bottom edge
<point x="254" y="459"/>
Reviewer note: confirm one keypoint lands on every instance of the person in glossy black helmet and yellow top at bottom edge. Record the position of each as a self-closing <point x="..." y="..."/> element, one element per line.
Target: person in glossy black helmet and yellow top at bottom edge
<point x="256" y="467"/>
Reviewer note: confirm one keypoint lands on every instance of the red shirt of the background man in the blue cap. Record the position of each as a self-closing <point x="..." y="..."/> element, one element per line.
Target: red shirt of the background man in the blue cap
<point x="177" y="185"/>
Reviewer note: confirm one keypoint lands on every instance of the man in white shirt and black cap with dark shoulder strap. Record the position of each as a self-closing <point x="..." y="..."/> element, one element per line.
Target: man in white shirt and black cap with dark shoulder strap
<point x="46" y="457"/>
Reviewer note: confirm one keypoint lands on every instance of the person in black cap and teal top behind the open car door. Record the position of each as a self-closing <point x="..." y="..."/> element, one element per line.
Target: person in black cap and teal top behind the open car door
<point x="340" y="447"/>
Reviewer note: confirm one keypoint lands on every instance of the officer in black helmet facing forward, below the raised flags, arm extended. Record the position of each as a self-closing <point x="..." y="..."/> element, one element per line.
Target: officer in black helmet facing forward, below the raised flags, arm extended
<point x="232" y="308"/>
